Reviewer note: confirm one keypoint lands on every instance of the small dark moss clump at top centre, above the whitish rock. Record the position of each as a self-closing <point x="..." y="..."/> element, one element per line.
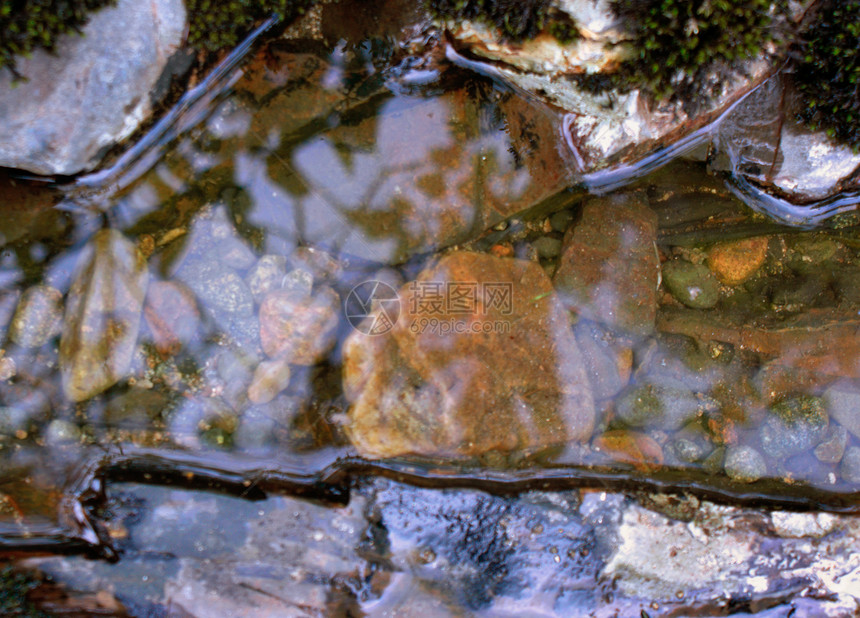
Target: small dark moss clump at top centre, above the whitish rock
<point x="517" y="20"/>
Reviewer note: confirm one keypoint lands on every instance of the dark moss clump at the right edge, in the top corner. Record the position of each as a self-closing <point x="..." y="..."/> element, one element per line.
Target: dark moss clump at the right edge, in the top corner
<point x="828" y="71"/>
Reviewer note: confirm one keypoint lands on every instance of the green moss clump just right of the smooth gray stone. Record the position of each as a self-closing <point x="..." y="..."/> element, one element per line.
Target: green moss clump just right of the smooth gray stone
<point x="220" y="24"/>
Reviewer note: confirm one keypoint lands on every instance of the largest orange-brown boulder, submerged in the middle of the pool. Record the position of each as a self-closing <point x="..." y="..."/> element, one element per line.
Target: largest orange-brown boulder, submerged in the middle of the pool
<point x="481" y="360"/>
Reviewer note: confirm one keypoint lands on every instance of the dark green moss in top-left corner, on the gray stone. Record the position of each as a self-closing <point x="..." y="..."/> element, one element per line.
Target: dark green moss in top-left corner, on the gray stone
<point x="26" y="25"/>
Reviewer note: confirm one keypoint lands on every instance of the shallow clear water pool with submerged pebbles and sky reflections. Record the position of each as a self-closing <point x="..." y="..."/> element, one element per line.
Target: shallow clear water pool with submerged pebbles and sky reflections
<point x="265" y="309"/>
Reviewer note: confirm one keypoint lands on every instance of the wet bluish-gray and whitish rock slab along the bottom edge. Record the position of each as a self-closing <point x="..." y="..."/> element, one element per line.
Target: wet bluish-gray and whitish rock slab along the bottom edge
<point x="397" y="549"/>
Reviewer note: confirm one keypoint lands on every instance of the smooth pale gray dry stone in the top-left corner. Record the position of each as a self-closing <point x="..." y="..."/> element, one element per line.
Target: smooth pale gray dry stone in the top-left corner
<point x="92" y="93"/>
